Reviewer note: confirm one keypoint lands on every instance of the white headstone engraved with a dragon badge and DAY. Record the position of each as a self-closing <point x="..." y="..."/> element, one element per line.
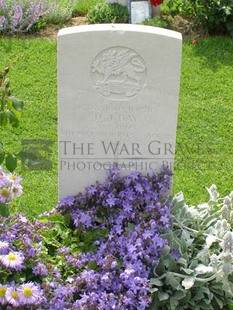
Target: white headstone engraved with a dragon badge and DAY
<point x="118" y="89"/>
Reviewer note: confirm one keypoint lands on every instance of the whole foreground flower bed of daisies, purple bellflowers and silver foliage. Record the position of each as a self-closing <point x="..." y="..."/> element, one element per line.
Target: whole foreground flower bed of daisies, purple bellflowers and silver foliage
<point x="122" y="244"/>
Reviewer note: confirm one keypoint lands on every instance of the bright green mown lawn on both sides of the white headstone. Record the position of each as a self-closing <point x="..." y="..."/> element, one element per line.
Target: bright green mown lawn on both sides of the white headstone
<point x="205" y="124"/>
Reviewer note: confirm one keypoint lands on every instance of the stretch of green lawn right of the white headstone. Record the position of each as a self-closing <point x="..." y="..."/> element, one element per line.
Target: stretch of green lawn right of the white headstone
<point x="205" y="122"/>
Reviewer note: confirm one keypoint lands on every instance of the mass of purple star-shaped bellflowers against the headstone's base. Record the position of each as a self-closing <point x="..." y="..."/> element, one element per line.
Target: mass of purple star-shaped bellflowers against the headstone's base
<point x="114" y="240"/>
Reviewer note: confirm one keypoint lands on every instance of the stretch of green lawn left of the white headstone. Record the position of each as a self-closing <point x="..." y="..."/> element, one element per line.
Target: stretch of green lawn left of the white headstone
<point x="33" y="79"/>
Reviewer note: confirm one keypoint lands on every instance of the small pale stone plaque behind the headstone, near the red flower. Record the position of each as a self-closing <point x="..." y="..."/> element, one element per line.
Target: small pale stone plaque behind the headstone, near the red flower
<point x="139" y="11"/>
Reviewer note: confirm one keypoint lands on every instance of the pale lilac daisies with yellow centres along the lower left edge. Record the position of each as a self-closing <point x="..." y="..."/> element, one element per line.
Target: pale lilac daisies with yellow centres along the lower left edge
<point x="21" y="250"/>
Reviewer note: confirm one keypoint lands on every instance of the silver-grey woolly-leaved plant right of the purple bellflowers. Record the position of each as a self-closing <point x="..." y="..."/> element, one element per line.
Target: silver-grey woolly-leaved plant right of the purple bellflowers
<point x="196" y="270"/>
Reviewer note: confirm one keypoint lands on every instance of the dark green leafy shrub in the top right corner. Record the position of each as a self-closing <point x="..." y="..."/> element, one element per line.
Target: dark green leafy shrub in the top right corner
<point x="215" y="16"/>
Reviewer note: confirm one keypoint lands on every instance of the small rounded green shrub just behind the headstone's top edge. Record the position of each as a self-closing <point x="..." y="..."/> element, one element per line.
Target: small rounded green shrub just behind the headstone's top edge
<point x="108" y="13"/>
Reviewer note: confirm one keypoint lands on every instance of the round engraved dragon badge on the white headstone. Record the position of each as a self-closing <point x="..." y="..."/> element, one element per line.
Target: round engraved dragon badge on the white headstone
<point x="118" y="73"/>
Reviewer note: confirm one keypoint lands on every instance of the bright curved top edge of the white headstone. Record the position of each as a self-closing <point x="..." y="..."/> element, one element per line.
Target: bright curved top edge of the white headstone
<point x="120" y="27"/>
